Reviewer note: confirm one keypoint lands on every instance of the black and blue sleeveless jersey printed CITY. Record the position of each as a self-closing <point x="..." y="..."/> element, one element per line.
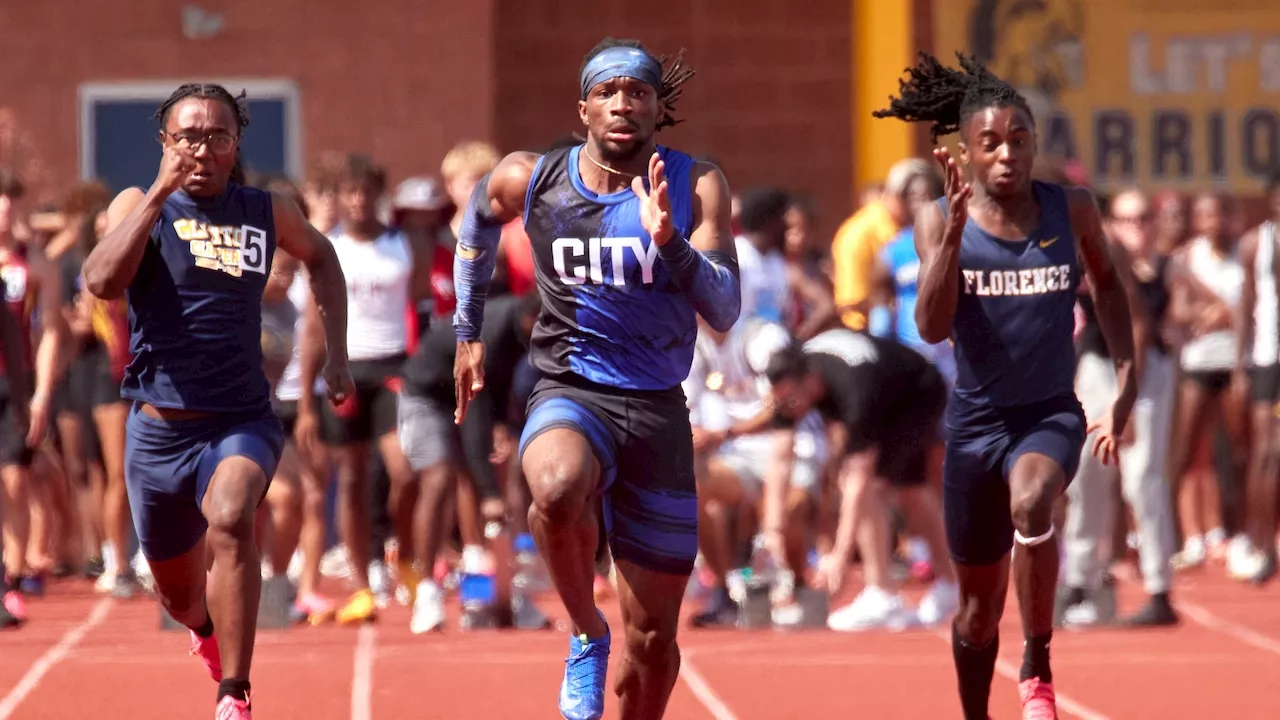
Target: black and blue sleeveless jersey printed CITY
<point x="611" y="313"/>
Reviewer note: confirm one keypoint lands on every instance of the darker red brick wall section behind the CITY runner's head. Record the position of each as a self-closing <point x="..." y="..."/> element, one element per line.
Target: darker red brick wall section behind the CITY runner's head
<point x="770" y="102"/>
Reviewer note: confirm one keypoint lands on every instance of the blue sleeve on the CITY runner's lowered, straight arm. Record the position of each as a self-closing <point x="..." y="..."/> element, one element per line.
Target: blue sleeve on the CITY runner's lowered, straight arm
<point x="474" y="263"/>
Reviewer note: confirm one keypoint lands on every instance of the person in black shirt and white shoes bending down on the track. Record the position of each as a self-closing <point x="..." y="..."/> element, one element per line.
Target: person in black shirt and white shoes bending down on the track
<point x="885" y="402"/>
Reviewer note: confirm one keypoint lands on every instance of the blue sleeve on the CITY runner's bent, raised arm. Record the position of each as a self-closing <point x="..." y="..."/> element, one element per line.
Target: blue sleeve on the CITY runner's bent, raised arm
<point x="708" y="280"/>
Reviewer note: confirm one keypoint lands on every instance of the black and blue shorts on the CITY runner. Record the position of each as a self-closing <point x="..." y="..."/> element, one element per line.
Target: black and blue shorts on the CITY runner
<point x="644" y="445"/>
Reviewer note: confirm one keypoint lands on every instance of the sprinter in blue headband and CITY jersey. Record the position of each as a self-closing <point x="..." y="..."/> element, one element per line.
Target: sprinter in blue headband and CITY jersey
<point x="632" y="241"/>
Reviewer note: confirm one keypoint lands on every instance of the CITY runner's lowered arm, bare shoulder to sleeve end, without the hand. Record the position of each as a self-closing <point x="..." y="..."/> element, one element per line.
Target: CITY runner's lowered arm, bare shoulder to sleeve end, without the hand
<point x="497" y="199"/>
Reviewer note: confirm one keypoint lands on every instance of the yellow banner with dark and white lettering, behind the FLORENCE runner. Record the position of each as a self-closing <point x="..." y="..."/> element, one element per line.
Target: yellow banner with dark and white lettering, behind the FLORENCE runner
<point x="1178" y="94"/>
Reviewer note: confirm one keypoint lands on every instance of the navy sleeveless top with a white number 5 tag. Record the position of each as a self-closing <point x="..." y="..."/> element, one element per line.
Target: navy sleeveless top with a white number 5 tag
<point x="196" y="306"/>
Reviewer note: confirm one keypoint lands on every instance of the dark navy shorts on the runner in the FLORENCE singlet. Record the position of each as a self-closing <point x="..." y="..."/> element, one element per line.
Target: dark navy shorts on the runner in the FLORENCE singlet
<point x="982" y="448"/>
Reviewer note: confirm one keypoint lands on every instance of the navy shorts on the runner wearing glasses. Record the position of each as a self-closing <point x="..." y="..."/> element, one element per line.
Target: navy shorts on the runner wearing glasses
<point x="168" y="466"/>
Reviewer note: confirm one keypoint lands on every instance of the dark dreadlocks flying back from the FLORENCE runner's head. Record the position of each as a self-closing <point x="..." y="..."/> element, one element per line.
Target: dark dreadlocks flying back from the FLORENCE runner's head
<point x="947" y="98"/>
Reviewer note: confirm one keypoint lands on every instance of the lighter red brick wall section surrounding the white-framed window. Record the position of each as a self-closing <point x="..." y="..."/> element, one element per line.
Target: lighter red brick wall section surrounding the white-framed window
<point x="399" y="79"/>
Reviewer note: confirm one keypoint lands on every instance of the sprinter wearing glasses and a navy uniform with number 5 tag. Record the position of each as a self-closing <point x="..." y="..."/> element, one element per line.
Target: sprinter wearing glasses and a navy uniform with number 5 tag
<point x="193" y="257"/>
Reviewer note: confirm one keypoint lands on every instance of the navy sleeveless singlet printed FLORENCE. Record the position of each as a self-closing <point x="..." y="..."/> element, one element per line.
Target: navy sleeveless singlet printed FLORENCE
<point x="1016" y="317"/>
